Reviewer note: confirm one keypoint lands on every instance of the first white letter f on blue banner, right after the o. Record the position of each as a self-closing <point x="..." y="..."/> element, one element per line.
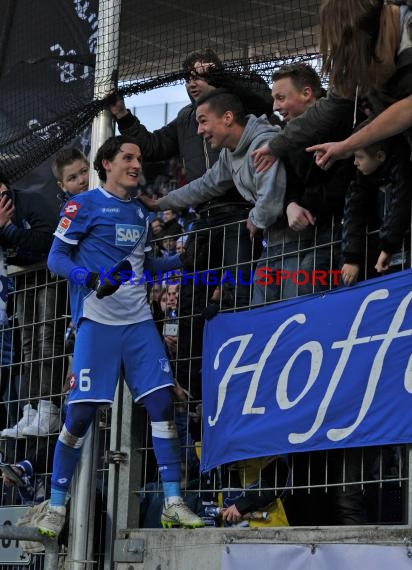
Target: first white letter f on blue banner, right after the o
<point x="346" y="346"/>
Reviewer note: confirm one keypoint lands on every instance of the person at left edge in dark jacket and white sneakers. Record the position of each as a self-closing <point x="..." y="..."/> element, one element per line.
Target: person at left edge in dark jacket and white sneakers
<point x="26" y="232"/>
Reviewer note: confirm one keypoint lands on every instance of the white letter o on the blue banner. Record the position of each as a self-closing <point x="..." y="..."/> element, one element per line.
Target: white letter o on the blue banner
<point x="315" y="348"/>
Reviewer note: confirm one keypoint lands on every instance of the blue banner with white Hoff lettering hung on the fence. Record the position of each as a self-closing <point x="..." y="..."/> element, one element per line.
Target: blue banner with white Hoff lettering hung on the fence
<point x="316" y="372"/>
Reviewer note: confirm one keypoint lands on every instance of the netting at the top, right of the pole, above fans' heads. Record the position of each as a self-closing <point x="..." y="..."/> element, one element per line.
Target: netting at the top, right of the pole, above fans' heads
<point x="157" y="37"/>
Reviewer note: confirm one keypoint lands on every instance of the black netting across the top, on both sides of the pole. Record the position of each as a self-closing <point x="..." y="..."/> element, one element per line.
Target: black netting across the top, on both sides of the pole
<point x="47" y="70"/>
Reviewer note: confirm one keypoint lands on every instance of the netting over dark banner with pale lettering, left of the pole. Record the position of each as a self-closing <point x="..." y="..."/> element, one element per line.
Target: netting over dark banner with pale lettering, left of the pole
<point x="46" y="79"/>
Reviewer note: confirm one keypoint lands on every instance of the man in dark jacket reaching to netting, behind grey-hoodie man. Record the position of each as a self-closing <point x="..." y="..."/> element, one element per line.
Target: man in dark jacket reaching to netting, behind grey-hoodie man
<point x="230" y="246"/>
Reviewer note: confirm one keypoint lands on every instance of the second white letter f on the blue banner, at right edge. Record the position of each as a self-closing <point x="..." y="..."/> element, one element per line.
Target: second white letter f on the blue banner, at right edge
<point x="393" y="332"/>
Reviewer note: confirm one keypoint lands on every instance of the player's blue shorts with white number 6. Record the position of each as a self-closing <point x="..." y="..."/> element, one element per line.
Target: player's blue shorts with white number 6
<point x="99" y="352"/>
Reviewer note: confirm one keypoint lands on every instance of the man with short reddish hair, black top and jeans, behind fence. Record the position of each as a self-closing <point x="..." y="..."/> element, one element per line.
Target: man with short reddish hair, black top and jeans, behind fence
<point x="314" y="198"/>
